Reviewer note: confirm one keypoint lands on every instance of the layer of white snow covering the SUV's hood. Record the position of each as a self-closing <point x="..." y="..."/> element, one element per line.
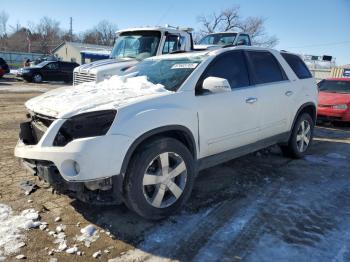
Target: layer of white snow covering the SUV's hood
<point x="109" y="94"/>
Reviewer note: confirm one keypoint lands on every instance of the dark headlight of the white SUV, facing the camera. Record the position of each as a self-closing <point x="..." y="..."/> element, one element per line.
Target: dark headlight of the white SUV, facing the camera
<point x="85" y="125"/>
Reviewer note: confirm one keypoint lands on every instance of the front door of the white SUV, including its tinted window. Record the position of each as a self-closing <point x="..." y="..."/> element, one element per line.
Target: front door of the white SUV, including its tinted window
<point x="228" y="120"/>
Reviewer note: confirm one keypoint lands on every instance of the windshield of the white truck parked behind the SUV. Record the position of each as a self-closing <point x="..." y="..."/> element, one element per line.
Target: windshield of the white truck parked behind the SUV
<point x="137" y="44"/>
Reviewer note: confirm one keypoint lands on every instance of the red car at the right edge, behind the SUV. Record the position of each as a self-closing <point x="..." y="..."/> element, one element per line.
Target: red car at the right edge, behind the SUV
<point x="334" y="99"/>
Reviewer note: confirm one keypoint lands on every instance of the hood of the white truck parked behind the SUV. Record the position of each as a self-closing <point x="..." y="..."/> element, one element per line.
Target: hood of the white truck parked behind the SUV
<point x="106" y="64"/>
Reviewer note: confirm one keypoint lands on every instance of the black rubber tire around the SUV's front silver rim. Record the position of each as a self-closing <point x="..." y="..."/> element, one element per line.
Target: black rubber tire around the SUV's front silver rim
<point x="134" y="196"/>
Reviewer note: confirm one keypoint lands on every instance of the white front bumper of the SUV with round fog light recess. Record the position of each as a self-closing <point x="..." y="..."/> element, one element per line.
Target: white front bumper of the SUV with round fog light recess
<point x="81" y="160"/>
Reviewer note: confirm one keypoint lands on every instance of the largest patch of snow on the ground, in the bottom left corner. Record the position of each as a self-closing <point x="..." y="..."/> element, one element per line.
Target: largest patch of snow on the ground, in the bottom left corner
<point x="11" y="227"/>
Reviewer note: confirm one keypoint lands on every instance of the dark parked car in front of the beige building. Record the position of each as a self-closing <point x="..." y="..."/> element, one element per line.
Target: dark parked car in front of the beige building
<point x="48" y="71"/>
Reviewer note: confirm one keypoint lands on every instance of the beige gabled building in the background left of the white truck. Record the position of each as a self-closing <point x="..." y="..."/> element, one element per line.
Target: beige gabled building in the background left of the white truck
<point x="80" y="52"/>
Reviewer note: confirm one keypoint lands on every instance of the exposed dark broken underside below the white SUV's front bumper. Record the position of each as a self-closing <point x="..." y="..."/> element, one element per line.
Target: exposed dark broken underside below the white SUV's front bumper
<point x="97" y="192"/>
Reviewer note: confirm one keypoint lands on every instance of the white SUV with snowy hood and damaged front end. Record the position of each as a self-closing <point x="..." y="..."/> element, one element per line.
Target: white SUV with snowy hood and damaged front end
<point x="142" y="137"/>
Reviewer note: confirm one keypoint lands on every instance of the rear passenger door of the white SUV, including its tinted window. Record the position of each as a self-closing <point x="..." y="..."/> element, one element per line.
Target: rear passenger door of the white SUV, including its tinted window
<point x="275" y="92"/>
